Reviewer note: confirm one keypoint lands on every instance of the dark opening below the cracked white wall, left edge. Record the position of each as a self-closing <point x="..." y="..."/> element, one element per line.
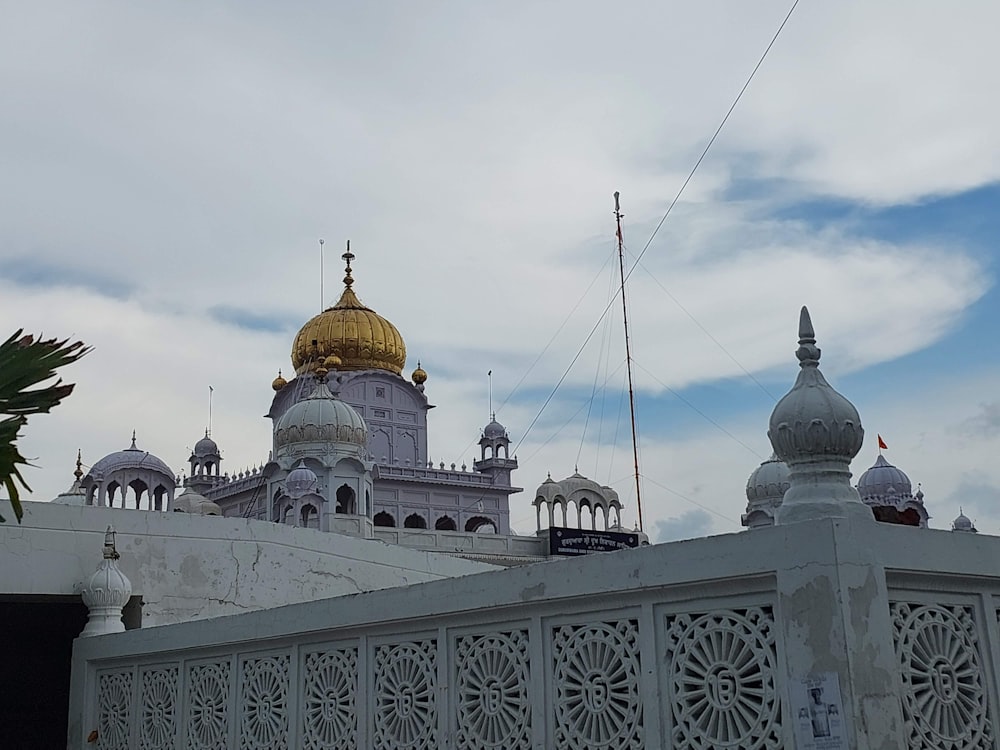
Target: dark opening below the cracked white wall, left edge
<point x="37" y="634"/>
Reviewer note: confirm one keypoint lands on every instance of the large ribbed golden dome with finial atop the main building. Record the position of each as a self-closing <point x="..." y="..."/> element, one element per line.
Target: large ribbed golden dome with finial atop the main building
<point x="357" y="335"/>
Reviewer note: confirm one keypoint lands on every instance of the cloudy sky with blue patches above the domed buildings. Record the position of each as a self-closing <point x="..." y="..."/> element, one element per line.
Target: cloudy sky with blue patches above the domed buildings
<point x="166" y="172"/>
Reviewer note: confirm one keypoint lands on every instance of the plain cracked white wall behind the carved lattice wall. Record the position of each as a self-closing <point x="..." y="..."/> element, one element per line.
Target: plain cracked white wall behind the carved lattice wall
<point x="188" y="567"/>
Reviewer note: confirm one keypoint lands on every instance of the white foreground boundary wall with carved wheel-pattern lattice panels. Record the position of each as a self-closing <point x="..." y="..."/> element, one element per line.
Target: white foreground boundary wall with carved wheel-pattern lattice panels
<point x="822" y="634"/>
